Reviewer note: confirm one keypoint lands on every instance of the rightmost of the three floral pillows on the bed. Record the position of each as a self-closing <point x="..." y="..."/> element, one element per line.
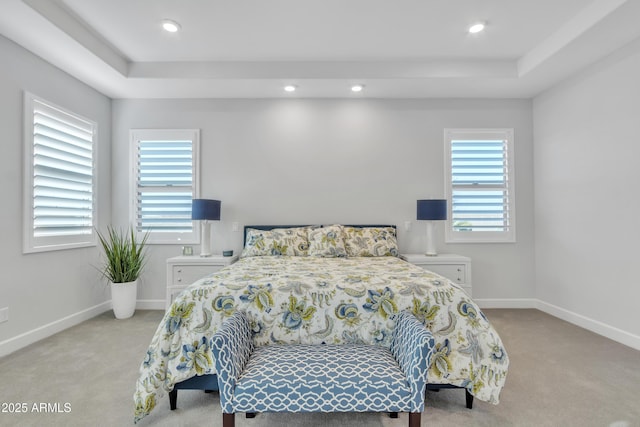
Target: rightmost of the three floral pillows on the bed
<point x="370" y="241"/>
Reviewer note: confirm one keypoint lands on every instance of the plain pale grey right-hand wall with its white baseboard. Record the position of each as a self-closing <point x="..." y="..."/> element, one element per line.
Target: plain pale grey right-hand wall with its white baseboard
<point x="587" y="156"/>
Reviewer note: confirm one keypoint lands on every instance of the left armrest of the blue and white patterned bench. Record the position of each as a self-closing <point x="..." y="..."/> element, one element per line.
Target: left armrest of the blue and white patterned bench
<point x="231" y="346"/>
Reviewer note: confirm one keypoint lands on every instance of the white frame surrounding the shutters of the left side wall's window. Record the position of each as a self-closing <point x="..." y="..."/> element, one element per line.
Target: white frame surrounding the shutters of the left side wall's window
<point x="31" y="242"/>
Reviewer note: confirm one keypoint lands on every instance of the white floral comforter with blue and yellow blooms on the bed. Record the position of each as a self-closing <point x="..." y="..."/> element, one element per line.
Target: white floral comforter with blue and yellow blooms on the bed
<point x="324" y="300"/>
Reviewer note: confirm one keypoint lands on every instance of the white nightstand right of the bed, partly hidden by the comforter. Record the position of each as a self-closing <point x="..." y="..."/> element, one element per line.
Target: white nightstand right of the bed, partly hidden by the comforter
<point x="456" y="268"/>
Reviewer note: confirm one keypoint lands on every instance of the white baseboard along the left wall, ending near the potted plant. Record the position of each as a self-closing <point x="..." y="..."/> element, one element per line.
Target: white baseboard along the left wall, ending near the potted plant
<point x="12" y="344"/>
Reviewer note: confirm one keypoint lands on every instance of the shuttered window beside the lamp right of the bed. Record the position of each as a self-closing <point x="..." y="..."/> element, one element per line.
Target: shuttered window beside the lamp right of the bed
<point x="479" y="185"/>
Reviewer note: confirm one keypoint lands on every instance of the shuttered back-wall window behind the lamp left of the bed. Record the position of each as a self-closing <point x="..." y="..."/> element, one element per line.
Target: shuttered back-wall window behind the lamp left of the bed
<point x="165" y="181"/>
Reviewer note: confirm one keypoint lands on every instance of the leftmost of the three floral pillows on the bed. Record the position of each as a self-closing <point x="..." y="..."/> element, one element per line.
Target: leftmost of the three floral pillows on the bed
<point x="279" y="241"/>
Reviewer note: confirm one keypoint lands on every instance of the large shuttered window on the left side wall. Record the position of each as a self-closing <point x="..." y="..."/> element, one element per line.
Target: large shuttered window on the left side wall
<point x="59" y="181"/>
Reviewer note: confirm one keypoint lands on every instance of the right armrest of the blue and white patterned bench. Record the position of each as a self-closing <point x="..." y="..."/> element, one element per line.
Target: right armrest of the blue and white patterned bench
<point x="412" y="346"/>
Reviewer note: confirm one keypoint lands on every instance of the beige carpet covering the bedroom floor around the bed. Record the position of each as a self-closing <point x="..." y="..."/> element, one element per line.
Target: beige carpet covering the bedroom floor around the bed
<point x="560" y="375"/>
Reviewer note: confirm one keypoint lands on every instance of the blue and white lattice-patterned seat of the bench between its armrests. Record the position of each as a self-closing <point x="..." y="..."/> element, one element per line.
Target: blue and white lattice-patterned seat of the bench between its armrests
<point x="322" y="378"/>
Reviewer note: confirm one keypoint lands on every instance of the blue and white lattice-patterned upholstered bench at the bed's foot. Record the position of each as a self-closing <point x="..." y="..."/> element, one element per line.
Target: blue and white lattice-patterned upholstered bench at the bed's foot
<point x="322" y="378"/>
